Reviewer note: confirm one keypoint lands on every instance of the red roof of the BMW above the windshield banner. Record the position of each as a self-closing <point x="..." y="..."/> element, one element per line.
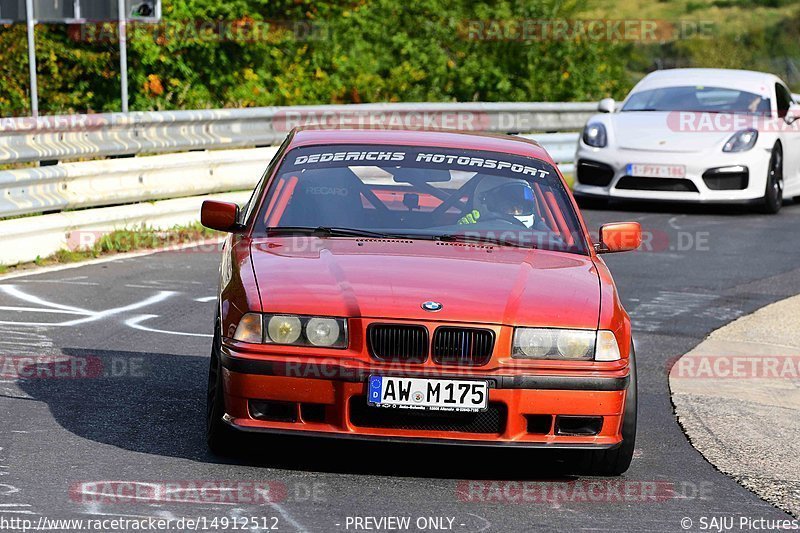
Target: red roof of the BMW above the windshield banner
<point x="508" y="144"/>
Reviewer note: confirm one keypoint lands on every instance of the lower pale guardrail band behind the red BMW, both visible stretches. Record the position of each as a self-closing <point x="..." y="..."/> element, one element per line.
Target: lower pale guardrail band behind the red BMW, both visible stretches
<point x="144" y="179"/>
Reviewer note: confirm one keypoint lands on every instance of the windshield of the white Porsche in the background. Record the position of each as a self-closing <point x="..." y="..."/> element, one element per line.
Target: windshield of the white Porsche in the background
<point x="698" y="98"/>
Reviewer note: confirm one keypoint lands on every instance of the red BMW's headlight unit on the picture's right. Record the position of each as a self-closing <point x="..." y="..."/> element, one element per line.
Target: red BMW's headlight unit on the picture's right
<point x="569" y="344"/>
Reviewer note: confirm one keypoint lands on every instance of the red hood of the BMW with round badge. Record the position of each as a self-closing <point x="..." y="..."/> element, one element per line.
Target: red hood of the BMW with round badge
<point x="391" y="279"/>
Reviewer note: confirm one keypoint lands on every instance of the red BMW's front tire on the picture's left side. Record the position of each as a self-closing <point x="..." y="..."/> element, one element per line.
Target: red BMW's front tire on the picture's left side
<point x="220" y="437"/>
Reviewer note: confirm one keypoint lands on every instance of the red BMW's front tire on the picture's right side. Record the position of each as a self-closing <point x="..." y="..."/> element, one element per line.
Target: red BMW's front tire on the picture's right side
<point x="615" y="462"/>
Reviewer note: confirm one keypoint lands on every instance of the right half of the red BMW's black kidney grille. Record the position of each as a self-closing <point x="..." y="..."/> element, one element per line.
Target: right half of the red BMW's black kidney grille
<point x="462" y="346"/>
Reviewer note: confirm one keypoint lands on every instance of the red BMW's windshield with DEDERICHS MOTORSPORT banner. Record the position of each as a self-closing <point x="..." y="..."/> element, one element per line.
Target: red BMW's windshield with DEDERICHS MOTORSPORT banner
<point x="421" y="192"/>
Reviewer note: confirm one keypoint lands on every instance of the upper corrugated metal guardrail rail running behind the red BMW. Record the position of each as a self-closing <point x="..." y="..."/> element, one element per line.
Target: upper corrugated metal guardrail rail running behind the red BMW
<point x="65" y="137"/>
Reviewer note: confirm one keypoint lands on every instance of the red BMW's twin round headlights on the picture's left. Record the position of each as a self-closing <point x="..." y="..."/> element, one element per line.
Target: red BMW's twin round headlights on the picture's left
<point x="295" y="330"/>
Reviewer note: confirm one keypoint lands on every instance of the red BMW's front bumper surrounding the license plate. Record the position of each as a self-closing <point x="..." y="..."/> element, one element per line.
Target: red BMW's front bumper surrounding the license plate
<point x="329" y="400"/>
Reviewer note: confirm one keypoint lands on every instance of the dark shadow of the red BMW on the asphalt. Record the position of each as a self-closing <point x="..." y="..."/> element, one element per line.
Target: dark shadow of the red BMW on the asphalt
<point x="154" y="403"/>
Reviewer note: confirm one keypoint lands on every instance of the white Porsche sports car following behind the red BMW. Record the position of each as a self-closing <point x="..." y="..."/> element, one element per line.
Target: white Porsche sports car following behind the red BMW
<point x="694" y="135"/>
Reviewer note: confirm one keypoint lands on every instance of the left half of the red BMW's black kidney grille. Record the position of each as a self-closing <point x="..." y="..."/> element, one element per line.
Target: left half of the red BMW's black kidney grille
<point x="398" y="342"/>
